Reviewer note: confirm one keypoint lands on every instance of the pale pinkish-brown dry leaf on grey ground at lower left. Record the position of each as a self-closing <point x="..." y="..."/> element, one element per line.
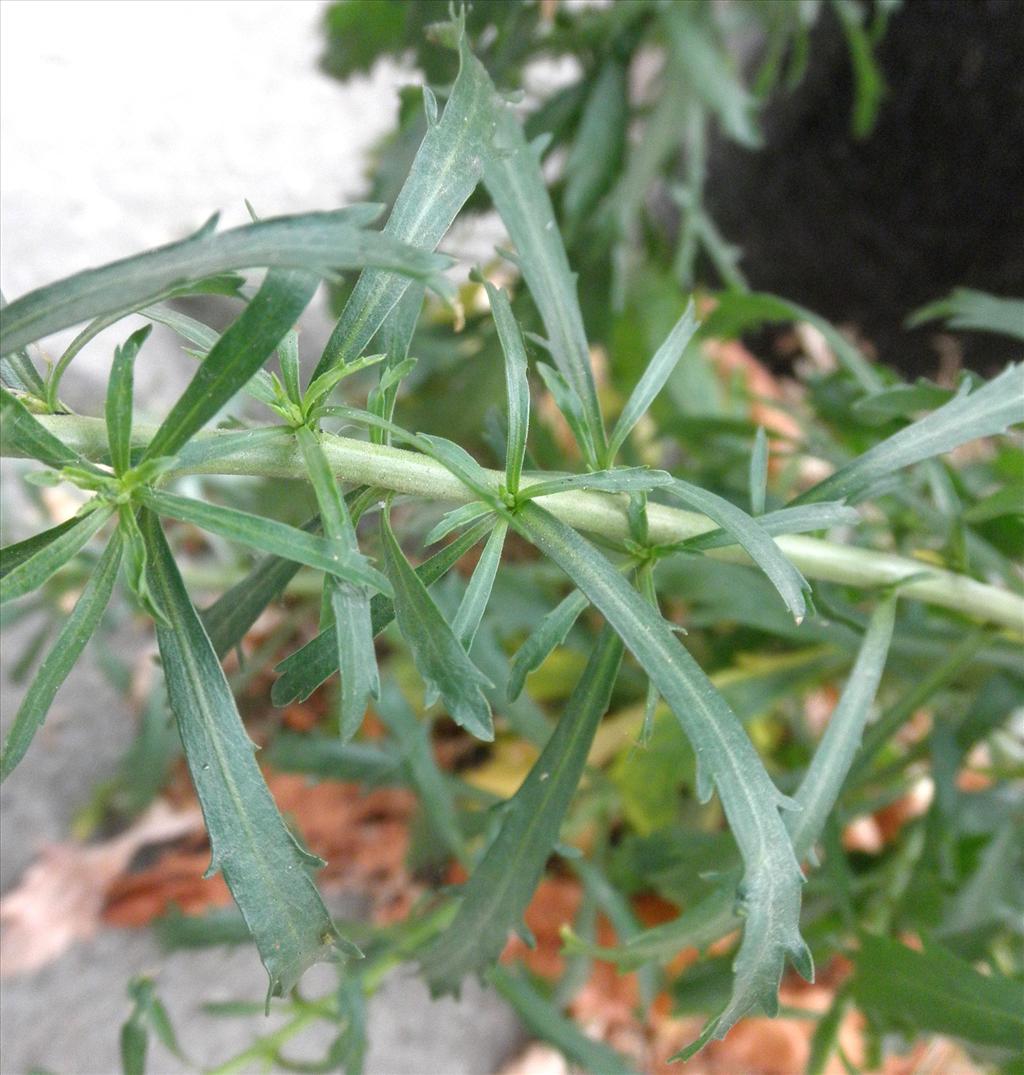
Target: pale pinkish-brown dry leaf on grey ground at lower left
<point x="62" y="896"/>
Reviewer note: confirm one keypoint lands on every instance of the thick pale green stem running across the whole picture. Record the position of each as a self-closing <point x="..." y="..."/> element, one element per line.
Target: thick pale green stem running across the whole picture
<point x="227" y="453"/>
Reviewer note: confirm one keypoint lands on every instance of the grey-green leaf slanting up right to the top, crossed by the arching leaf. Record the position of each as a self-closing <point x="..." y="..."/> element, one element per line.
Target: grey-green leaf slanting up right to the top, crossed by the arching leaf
<point x="444" y="175"/>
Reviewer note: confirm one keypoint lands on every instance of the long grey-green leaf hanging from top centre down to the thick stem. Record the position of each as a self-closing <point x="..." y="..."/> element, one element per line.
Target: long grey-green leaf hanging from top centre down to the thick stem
<point x="513" y="178"/>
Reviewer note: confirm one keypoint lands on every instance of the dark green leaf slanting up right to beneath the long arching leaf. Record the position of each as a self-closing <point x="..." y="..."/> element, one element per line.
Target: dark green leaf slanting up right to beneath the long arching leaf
<point x="237" y="356"/>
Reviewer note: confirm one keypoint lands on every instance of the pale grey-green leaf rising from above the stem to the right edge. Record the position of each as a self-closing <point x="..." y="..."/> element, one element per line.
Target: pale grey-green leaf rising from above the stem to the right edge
<point x="986" y="412"/>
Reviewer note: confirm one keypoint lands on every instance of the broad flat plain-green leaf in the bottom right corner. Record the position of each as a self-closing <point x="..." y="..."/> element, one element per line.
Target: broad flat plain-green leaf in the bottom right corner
<point x="934" y="991"/>
